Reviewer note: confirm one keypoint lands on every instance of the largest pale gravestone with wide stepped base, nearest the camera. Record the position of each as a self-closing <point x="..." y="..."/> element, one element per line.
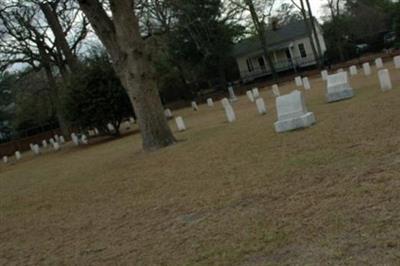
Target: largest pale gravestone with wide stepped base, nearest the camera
<point x="292" y="112"/>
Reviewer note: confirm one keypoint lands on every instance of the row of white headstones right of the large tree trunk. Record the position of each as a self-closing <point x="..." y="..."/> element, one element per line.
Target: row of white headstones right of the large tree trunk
<point x="291" y="108"/>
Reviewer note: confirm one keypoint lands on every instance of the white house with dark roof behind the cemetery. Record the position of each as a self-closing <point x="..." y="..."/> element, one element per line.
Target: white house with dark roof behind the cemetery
<point x="288" y="45"/>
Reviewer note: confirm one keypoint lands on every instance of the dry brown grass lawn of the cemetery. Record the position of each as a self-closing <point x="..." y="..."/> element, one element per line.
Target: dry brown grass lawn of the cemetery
<point x="226" y="194"/>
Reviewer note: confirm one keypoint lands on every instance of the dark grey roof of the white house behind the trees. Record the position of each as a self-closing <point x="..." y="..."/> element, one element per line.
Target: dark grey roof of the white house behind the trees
<point x="275" y="38"/>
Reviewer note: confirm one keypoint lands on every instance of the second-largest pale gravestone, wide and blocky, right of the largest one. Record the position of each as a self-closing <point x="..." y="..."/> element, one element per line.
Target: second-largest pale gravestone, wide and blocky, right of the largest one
<point x="338" y="88"/>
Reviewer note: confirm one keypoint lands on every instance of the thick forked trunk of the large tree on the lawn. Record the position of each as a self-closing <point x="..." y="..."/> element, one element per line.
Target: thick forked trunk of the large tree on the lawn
<point x="133" y="63"/>
